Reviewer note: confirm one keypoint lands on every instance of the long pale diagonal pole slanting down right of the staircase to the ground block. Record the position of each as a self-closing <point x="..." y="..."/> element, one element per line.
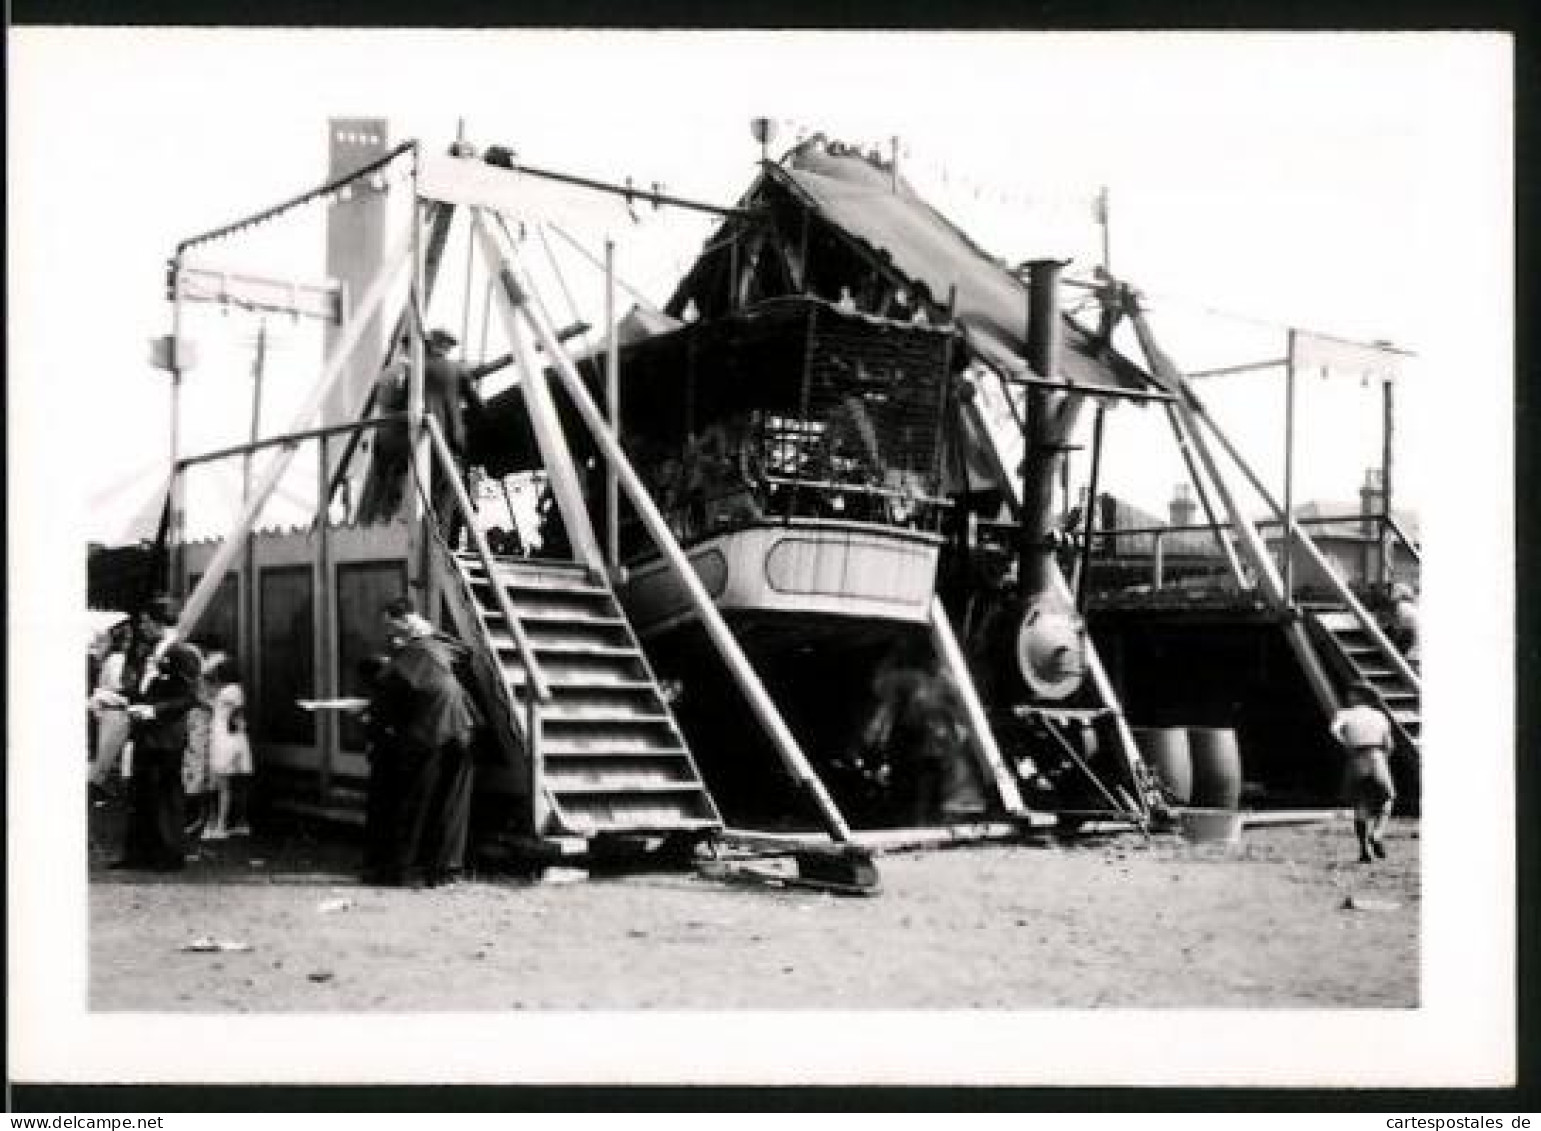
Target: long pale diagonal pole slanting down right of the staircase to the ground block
<point x="717" y="629"/>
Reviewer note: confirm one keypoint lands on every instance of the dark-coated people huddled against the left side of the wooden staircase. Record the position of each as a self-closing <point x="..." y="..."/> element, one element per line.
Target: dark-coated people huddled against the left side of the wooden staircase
<point x="423" y="723"/>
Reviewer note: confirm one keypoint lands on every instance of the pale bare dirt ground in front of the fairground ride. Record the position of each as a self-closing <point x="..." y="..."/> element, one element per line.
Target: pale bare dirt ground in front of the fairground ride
<point x="1109" y="922"/>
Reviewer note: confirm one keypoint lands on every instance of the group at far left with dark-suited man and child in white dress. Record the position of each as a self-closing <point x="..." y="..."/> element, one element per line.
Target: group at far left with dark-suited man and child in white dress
<point x="175" y="717"/>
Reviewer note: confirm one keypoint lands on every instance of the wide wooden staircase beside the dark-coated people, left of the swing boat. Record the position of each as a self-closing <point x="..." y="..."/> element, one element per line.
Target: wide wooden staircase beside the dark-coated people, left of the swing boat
<point x="613" y="757"/>
